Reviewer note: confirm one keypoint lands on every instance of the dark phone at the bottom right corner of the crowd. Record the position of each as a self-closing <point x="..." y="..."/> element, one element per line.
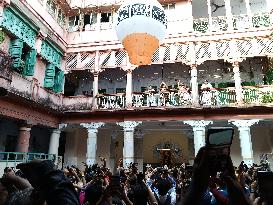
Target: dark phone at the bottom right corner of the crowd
<point x="265" y="185"/>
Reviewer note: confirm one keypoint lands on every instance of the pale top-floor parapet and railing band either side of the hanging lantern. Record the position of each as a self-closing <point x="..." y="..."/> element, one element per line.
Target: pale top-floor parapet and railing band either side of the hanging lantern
<point x="104" y="35"/>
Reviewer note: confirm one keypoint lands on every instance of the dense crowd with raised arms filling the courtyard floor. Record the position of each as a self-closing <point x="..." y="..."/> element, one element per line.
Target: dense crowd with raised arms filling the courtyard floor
<point x="39" y="182"/>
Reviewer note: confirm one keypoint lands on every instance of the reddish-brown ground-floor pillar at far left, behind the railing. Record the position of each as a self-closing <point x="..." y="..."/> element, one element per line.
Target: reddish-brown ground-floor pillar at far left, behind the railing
<point x="23" y="138"/>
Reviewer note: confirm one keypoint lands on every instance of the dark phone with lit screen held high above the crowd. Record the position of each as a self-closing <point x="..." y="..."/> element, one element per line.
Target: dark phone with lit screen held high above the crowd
<point x="218" y="142"/>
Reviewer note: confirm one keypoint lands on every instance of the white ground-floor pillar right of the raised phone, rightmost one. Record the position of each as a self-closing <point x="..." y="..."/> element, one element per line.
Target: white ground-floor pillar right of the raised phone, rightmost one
<point x="245" y="139"/>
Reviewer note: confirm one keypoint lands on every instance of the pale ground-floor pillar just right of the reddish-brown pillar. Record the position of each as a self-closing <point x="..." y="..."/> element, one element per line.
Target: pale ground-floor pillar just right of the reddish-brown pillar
<point x="54" y="140"/>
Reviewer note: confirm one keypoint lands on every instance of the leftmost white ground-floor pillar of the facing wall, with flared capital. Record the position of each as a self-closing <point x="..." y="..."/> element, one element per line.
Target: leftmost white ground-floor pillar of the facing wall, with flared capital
<point x="92" y="131"/>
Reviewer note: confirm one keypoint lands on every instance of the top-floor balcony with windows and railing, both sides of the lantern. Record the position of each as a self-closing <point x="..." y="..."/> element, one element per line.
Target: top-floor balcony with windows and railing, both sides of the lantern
<point x="187" y="22"/>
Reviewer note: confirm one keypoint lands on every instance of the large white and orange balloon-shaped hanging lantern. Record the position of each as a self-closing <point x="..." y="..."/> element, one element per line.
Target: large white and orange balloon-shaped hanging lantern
<point x="141" y="27"/>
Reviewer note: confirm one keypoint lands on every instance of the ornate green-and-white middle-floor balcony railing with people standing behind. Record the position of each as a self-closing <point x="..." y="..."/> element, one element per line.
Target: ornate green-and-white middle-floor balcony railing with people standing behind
<point x="215" y="98"/>
